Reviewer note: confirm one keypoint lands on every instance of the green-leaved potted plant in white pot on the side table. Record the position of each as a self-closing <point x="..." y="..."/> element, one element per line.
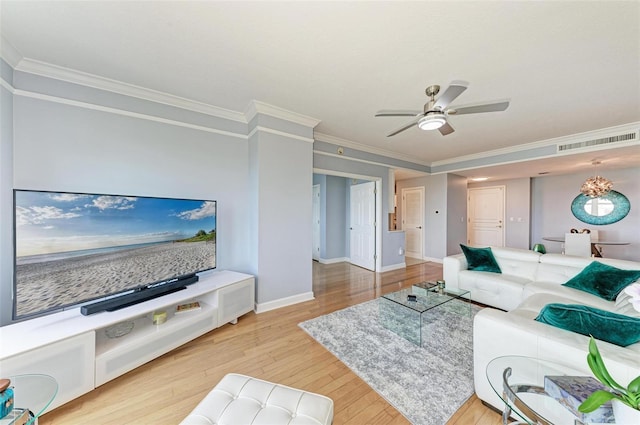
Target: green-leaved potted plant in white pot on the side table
<point x="625" y="401"/>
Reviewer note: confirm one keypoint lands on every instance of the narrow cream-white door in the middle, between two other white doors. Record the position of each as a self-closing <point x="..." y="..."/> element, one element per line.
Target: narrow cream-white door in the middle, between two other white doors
<point x="413" y="221"/>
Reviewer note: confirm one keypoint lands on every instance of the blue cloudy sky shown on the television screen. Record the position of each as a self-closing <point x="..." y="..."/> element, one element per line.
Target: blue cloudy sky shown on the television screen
<point x="48" y="223"/>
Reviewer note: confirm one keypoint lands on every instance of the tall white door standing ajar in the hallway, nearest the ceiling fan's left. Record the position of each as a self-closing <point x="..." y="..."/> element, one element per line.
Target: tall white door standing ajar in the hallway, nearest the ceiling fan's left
<point x="362" y="234"/>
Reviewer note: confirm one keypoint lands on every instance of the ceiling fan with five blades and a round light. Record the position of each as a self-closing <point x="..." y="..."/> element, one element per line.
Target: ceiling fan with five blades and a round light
<point x="435" y="112"/>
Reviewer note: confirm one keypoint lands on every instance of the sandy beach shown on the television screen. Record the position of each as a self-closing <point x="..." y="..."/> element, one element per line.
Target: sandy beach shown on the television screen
<point x="51" y="285"/>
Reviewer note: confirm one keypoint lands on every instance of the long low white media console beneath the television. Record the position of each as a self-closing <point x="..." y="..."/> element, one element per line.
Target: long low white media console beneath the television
<point x="75" y="350"/>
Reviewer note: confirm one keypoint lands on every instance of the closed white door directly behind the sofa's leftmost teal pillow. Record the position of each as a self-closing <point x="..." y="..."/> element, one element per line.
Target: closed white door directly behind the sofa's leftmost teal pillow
<point x="485" y="212"/>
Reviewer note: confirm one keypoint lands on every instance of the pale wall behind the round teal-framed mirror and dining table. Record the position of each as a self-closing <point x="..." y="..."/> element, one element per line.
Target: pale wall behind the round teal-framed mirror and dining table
<point x="551" y="211"/>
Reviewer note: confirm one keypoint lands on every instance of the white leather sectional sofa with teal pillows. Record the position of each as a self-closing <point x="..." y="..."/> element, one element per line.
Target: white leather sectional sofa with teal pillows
<point x="528" y="282"/>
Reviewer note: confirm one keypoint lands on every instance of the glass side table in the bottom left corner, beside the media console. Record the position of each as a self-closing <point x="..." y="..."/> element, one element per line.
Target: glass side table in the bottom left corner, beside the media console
<point x="32" y="395"/>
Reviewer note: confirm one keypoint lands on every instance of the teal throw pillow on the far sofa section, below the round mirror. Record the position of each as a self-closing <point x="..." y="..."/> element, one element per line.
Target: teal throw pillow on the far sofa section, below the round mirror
<point x="603" y="280"/>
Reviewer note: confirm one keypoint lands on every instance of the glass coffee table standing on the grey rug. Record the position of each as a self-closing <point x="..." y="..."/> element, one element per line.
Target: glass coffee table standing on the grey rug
<point x="406" y="312"/>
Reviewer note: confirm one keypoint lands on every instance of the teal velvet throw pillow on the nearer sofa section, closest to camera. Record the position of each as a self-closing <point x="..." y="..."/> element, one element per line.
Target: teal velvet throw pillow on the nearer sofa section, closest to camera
<point x="604" y="325"/>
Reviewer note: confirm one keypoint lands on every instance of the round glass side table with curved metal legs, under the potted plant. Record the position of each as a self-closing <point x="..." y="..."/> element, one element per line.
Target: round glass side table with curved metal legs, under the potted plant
<point x="519" y="382"/>
